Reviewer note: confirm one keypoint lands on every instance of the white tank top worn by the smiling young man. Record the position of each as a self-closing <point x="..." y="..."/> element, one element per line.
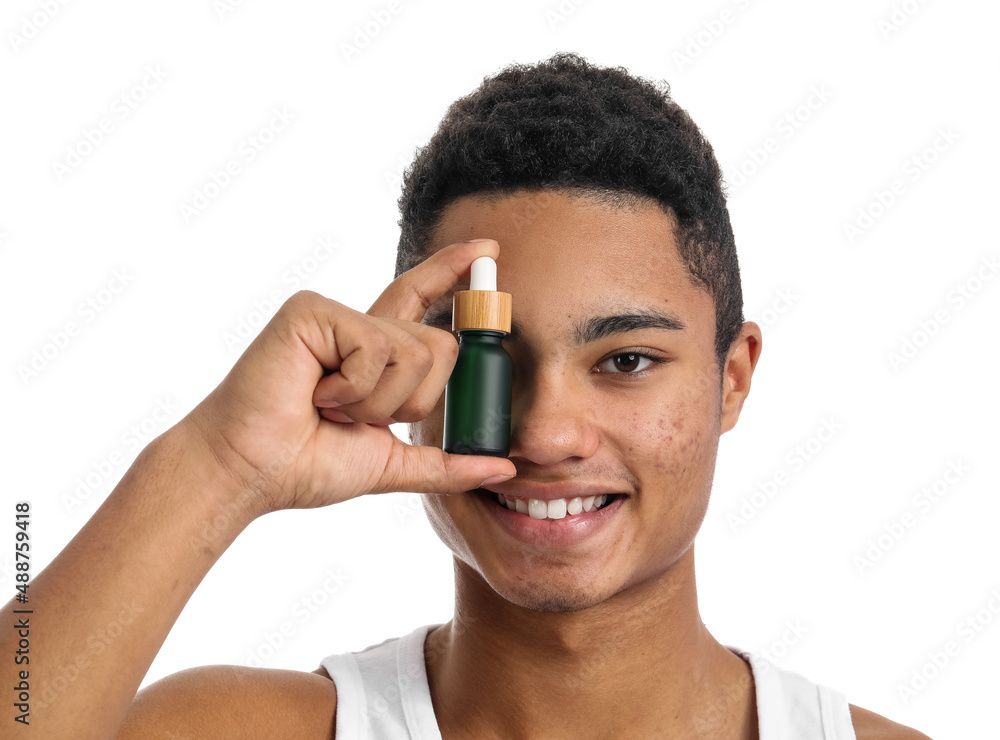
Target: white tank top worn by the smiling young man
<point x="383" y="694"/>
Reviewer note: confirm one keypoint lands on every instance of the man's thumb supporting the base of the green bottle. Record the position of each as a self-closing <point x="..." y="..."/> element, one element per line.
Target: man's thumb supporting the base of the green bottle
<point x="422" y="469"/>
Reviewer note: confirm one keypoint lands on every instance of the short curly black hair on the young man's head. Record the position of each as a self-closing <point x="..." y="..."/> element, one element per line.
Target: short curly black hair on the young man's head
<point x="567" y="125"/>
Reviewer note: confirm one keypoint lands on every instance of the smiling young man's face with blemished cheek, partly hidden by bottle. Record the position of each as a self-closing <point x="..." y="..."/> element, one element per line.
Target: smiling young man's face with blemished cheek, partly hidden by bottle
<point x="620" y="406"/>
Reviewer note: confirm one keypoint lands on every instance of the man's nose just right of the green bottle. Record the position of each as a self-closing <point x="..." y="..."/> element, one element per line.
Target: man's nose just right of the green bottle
<point x="551" y="418"/>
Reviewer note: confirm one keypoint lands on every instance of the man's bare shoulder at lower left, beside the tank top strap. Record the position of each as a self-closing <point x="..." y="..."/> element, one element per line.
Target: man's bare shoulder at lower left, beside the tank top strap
<point x="232" y="701"/>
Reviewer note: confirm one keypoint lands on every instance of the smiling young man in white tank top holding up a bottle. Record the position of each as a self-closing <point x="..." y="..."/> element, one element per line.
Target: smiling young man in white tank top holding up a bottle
<point x="603" y="206"/>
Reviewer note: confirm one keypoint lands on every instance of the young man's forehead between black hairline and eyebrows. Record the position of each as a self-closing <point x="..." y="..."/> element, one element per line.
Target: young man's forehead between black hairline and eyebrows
<point x="572" y="255"/>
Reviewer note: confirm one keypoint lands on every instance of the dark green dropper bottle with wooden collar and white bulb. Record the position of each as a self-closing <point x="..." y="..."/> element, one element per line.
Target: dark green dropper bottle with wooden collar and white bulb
<point x="477" y="397"/>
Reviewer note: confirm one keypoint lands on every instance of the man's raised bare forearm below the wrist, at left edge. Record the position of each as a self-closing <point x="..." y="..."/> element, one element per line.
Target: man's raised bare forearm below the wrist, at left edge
<point x="102" y="609"/>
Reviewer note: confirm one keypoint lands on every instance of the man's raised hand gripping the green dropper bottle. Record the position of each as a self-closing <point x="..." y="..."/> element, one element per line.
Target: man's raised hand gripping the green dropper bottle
<point x="301" y="419"/>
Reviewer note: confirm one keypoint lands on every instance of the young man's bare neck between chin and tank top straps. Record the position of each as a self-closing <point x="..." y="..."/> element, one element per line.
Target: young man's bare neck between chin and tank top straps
<point x="639" y="664"/>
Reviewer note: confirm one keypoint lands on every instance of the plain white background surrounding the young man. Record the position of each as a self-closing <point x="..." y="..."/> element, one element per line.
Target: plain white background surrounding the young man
<point x="892" y="75"/>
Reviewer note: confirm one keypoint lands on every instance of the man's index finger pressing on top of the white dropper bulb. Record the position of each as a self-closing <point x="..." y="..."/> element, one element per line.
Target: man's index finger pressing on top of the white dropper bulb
<point x="410" y="295"/>
